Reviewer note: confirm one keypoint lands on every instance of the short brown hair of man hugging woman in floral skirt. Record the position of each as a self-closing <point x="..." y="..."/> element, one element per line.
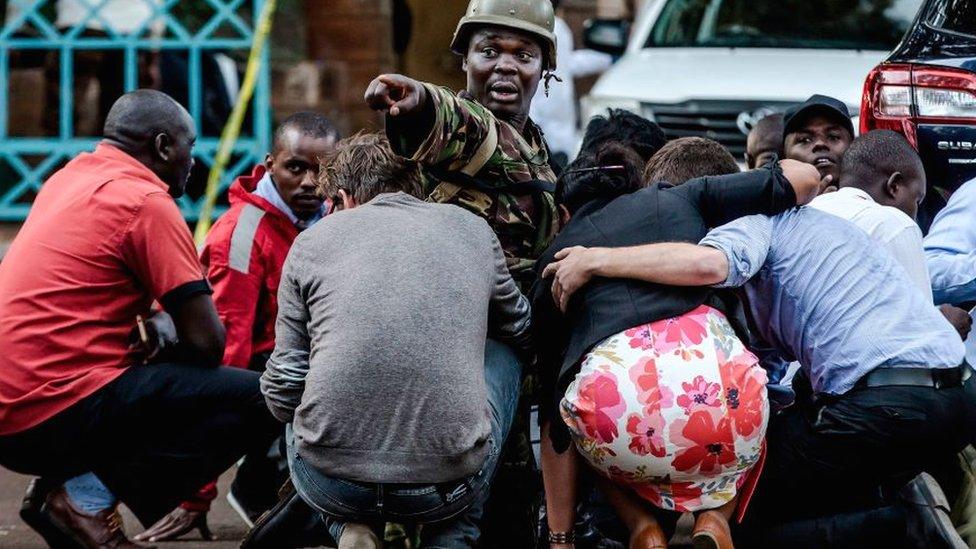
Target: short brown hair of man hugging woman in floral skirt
<point x="689" y="158"/>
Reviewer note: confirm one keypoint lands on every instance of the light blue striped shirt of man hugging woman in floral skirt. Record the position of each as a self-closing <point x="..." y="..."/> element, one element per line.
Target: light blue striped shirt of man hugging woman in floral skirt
<point x="824" y="294"/>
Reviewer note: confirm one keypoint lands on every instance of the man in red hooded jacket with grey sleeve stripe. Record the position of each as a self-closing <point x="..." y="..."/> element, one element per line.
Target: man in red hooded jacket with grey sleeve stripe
<point x="243" y="256"/>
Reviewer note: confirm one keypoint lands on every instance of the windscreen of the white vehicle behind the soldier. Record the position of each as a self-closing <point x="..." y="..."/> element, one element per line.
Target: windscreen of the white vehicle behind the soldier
<point x="842" y="24"/>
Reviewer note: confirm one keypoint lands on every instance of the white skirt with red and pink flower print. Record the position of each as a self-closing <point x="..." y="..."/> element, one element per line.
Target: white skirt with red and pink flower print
<point x="675" y="409"/>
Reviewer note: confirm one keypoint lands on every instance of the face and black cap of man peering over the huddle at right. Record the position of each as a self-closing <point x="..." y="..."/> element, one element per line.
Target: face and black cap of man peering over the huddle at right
<point x="818" y="131"/>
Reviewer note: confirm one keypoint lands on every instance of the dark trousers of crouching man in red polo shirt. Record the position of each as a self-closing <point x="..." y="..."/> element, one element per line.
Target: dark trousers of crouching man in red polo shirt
<point x="153" y="436"/>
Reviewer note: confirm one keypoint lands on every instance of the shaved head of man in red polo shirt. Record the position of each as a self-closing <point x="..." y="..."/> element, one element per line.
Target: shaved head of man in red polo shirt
<point x="157" y="131"/>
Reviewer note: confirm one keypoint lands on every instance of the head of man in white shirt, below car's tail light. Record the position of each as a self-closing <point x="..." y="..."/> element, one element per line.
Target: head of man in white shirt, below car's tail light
<point x="884" y="164"/>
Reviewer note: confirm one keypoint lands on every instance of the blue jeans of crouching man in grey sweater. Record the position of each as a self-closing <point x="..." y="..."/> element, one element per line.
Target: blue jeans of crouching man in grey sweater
<point x="450" y="511"/>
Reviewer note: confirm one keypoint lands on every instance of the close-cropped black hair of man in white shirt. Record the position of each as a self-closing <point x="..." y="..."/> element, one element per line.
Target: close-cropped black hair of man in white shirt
<point x="878" y="152"/>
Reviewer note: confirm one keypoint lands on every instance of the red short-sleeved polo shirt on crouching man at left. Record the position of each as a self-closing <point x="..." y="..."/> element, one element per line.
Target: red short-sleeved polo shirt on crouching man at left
<point x="103" y="240"/>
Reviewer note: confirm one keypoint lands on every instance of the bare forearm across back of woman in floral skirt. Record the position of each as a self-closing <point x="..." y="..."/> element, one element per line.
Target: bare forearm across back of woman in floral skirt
<point x="675" y="264"/>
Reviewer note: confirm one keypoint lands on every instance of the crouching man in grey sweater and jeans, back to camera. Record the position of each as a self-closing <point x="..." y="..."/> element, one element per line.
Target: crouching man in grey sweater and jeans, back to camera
<point x="379" y="365"/>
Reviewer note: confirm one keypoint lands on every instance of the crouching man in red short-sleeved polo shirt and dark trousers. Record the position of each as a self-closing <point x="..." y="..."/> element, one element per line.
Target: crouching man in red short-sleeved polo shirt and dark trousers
<point x="99" y="418"/>
